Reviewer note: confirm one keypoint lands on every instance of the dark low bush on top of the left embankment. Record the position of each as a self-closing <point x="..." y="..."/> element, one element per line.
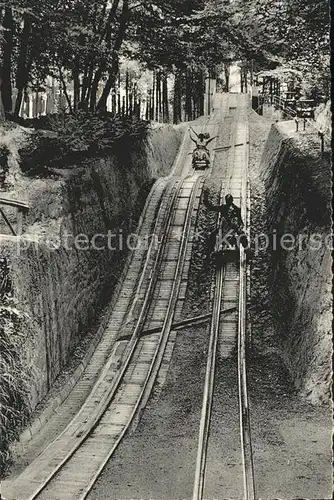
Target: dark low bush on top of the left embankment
<point x="73" y="138"/>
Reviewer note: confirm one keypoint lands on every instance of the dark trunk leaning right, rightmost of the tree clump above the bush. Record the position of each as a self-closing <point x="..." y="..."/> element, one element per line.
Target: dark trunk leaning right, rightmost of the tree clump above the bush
<point x="123" y="24"/>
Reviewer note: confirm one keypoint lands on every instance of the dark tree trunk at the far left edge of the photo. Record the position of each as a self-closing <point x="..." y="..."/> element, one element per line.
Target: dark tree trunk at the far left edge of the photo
<point x="6" y="86"/>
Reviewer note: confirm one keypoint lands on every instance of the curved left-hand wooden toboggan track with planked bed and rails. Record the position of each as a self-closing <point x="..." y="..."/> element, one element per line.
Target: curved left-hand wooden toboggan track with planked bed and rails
<point x="69" y="466"/>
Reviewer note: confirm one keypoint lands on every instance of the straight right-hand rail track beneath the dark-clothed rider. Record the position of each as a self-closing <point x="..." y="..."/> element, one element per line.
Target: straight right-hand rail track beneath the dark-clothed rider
<point x="228" y="333"/>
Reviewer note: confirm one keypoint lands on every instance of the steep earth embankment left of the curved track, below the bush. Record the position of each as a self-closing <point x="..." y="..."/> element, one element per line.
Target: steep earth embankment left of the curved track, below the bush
<point x="63" y="286"/>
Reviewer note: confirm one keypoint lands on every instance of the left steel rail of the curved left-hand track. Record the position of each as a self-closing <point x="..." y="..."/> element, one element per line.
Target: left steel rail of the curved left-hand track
<point x="131" y="348"/>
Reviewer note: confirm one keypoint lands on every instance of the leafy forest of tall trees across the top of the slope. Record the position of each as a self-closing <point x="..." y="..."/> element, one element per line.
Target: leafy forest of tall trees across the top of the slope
<point x="82" y="43"/>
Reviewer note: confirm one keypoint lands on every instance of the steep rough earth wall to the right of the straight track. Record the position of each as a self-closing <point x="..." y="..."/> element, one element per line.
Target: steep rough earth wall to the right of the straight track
<point x="298" y="205"/>
